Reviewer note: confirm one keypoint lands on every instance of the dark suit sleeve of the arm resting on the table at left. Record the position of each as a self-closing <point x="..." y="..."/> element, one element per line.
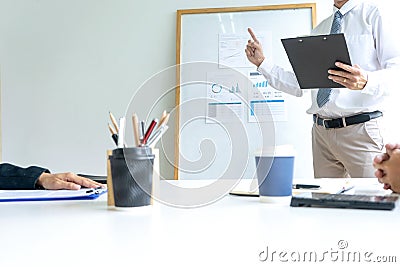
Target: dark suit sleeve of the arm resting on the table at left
<point x="14" y="177"/>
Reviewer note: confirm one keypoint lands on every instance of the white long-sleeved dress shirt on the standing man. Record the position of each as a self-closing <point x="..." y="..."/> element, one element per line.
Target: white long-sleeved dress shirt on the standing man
<point x="370" y="40"/>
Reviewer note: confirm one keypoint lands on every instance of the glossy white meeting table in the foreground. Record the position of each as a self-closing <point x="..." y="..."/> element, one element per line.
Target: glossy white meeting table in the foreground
<point x="230" y="232"/>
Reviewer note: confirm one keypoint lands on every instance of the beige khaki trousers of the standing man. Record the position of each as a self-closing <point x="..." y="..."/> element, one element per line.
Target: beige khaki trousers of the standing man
<point x="347" y="151"/>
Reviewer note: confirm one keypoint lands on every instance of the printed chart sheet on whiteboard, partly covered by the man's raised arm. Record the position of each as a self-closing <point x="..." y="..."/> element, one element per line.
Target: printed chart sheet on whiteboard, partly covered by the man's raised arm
<point x="266" y="103"/>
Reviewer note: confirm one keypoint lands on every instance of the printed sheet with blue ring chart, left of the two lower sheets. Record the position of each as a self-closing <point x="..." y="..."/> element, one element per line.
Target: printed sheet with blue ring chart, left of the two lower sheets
<point x="224" y="101"/>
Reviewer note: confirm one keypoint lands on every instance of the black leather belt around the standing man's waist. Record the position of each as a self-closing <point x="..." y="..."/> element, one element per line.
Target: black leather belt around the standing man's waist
<point x="346" y="121"/>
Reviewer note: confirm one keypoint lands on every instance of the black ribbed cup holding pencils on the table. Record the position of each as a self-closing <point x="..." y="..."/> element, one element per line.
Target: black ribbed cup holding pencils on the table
<point x="131" y="176"/>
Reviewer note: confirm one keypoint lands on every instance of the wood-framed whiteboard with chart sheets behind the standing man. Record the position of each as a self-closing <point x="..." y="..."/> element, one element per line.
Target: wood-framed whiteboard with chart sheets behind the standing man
<point x="216" y="135"/>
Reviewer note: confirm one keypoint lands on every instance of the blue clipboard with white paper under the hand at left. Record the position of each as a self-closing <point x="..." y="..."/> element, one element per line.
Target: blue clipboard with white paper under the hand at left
<point x="47" y="195"/>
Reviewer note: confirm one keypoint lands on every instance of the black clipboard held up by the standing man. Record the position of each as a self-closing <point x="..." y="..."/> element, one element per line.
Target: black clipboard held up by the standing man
<point x="311" y="57"/>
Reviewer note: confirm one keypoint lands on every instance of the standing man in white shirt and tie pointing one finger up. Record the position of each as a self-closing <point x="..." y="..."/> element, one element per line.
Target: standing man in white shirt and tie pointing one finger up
<point x="345" y="134"/>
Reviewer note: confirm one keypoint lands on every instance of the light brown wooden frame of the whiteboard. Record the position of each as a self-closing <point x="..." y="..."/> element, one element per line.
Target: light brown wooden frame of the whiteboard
<point x="188" y="12"/>
